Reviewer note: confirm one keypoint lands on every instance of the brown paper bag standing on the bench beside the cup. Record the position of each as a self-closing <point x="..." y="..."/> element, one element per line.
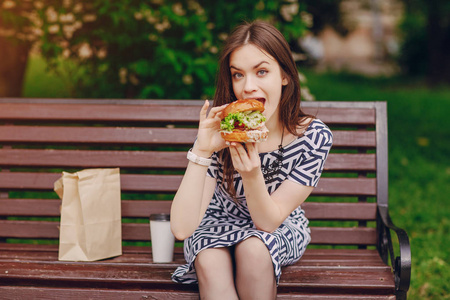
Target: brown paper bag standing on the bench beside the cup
<point x="91" y="227"/>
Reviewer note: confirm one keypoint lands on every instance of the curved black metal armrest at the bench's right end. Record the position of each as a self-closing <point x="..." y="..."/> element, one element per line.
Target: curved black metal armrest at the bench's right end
<point x="401" y="264"/>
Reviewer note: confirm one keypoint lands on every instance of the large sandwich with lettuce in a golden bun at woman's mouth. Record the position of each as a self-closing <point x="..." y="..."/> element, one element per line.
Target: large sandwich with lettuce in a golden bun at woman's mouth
<point x="244" y="122"/>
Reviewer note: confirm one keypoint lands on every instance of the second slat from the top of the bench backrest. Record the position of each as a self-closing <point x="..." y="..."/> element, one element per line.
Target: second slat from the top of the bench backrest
<point x="141" y="136"/>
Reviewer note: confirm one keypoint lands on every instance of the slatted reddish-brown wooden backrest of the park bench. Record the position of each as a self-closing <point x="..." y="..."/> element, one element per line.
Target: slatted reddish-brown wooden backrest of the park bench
<point x="148" y="140"/>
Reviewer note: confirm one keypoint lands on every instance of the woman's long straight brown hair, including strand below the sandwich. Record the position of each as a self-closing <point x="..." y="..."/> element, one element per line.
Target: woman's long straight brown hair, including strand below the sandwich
<point x="266" y="37"/>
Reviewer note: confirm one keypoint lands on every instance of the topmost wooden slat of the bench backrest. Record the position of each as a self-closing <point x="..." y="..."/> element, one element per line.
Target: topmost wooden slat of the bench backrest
<point x="156" y="112"/>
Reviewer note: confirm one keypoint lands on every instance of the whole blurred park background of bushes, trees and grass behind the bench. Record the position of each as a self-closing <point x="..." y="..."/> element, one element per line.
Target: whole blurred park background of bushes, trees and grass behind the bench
<point x="355" y="50"/>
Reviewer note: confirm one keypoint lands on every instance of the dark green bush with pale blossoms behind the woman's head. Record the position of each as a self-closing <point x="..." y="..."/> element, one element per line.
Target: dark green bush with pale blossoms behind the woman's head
<point x="149" y="49"/>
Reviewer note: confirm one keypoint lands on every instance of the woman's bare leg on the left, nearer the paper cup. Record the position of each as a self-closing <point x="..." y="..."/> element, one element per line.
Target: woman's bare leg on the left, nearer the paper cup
<point x="214" y="268"/>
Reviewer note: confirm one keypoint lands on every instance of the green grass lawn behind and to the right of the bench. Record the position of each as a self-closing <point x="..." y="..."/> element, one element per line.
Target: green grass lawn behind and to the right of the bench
<point x="419" y="161"/>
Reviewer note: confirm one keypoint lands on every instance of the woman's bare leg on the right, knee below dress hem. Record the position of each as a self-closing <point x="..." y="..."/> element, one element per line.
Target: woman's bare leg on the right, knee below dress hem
<point x="255" y="278"/>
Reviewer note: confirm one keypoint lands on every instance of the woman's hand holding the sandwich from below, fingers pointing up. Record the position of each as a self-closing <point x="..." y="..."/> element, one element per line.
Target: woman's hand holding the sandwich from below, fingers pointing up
<point x="245" y="159"/>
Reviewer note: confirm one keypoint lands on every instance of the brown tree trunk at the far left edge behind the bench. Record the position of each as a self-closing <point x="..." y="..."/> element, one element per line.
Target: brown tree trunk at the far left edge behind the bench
<point x="13" y="63"/>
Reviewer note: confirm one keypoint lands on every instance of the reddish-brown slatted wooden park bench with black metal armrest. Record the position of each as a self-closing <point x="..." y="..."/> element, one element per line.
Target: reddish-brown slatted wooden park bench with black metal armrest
<point x="351" y="255"/>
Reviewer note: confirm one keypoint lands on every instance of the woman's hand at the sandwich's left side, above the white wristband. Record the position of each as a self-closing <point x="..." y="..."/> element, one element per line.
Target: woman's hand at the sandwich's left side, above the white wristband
<point x="209" y="139"/>
